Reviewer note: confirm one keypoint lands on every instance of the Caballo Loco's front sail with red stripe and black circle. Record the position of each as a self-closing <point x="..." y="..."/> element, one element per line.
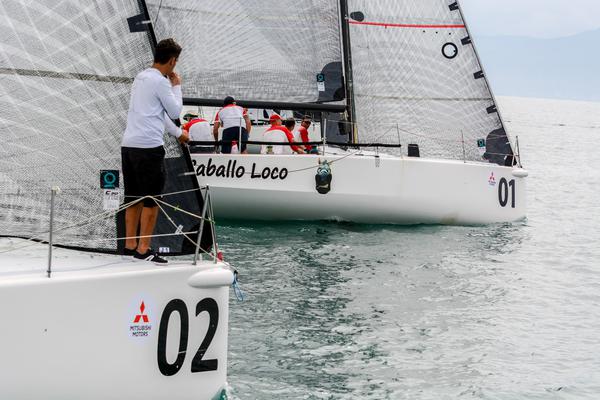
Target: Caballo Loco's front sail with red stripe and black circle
<point x="417" y="79"/>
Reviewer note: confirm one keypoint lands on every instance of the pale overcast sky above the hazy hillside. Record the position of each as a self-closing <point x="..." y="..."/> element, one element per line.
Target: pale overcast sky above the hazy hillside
<point x="534" y="18"/>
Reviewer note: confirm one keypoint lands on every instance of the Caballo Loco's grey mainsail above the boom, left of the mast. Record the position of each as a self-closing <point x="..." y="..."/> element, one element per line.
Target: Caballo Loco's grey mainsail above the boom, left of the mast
<point x="264" y="50"/>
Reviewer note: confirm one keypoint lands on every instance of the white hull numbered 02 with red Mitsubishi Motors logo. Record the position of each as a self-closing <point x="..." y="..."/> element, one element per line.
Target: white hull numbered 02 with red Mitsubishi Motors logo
<point x="85" y="335"/>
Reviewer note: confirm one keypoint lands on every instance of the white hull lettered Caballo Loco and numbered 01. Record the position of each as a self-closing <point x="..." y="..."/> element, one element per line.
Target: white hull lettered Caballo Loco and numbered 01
<point x="365" y="188"/>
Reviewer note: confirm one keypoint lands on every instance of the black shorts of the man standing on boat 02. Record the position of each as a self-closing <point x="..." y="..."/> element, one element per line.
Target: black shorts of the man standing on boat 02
<point x="143" y="173"/>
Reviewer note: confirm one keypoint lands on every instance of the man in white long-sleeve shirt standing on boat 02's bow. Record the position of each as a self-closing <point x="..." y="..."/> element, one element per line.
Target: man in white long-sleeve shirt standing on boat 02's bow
<point x="155" y="99"/>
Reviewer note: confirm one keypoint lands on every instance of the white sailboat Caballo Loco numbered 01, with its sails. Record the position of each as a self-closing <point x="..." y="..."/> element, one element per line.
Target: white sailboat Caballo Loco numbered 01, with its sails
<point x="410" y="130"/>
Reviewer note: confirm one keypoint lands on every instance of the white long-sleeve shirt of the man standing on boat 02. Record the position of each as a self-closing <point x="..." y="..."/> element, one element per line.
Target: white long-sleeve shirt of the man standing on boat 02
<point x="154" y="101"/>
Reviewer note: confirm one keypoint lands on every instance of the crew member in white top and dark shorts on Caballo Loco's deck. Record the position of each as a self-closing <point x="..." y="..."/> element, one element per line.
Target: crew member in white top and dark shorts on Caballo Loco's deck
<point x="236" y="125"/>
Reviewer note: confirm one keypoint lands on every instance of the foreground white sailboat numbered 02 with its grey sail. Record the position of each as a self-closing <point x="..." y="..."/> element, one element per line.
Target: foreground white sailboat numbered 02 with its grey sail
<point x="78" y="320"/>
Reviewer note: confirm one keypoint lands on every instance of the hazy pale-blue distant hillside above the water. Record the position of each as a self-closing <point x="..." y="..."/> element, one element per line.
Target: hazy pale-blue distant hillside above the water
<point x="566" y="68"/>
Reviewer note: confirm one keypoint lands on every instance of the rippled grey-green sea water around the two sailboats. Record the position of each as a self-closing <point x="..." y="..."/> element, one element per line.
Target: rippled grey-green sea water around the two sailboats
<point x="507" y="311"/>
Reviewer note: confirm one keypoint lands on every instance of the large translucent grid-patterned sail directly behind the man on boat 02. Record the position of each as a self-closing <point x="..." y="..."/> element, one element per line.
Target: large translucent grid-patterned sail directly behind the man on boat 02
<point x="66" y="69"/>
